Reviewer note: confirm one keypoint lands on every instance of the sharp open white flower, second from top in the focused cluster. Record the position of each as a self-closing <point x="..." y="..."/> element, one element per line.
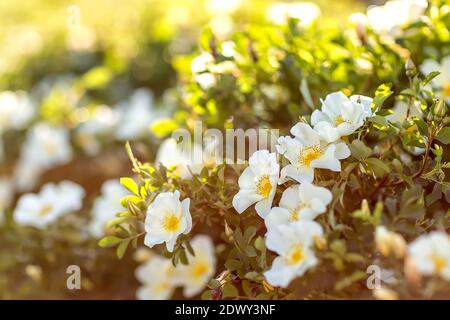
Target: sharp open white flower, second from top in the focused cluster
<point x="307" y="151"/>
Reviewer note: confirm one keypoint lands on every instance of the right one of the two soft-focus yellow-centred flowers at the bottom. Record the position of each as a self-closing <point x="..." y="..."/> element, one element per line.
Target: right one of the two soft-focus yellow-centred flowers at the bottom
<point x="200" y="268"/>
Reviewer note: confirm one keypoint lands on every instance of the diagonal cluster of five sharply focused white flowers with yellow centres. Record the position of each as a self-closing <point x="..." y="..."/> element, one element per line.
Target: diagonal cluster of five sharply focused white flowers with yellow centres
<point x="291" y="231"/>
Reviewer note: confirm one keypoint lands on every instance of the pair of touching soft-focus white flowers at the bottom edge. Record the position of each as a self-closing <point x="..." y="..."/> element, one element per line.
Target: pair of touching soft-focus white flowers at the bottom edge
<point x="159" y="277"/>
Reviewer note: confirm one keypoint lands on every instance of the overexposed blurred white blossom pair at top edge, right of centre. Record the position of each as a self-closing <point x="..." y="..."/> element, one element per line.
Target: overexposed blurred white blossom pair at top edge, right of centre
<point x="306" y="12"/>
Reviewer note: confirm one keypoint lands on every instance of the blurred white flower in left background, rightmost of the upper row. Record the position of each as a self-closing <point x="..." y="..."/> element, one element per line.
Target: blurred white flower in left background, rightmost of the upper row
<point x="136" y="115"/>
